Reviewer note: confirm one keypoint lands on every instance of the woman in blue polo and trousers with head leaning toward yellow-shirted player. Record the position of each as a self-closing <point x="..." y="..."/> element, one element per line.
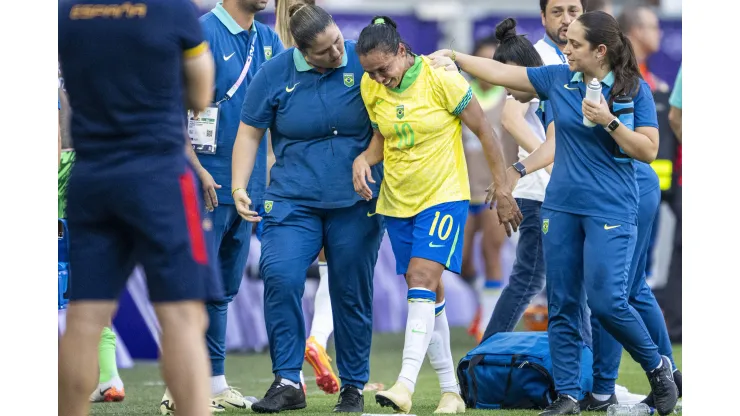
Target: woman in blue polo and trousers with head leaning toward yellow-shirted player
<point x="309" y="98"/>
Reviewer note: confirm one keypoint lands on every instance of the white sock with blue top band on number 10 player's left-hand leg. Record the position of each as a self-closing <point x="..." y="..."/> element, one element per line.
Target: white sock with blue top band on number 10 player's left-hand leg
<point x="419" y="329"/>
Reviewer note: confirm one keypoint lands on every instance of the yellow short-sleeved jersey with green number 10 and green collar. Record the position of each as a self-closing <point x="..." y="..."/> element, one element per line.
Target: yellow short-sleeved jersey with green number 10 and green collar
<point x="424" y="163"/>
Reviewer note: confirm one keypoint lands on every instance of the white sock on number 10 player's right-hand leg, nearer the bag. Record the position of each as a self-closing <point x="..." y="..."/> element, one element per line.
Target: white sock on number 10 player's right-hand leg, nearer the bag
<point x="439" y="352"/>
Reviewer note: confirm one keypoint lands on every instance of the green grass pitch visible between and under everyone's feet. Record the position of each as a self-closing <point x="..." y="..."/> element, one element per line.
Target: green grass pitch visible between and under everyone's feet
<point x="252" y="375"/>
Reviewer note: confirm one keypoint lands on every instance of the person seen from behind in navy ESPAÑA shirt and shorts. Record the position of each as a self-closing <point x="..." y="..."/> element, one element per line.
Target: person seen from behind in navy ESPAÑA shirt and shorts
<point x="131" y="71"/>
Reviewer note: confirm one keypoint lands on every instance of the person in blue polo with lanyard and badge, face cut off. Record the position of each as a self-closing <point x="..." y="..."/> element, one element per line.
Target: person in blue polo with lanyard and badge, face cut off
<point x="240" y="46"/>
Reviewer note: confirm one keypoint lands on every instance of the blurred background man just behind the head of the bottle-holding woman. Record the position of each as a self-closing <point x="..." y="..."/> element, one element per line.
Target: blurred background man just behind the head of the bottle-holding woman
<point x="642" y="27"/>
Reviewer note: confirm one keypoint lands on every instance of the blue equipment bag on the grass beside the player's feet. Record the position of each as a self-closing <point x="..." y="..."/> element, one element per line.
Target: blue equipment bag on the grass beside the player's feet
<point x="513" y="370"/>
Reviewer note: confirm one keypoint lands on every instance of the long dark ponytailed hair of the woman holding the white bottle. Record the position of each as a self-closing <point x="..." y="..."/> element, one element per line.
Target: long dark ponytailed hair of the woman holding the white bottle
<point x="602" y="28"/>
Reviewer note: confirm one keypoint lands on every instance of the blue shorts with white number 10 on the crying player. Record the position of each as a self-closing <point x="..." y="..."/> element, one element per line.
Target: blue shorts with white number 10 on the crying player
<point x="434" y="234"/>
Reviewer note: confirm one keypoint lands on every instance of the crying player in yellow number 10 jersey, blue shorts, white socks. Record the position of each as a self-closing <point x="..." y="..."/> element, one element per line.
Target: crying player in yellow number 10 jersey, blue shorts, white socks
<point x="416" y="113"/>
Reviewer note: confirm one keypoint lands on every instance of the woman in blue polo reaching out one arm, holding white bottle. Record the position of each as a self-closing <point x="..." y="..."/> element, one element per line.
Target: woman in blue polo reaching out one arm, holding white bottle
<point x="589" y="216"/>
